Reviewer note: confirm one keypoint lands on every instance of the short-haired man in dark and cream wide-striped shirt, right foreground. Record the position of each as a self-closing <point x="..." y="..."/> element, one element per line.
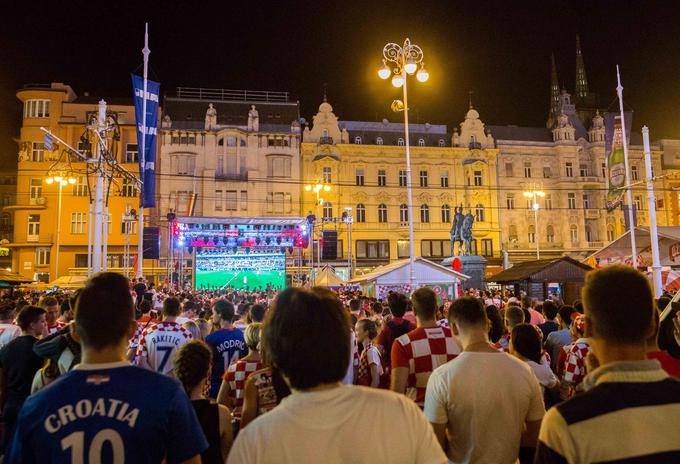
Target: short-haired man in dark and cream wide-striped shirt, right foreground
<point x="630" y="408"/>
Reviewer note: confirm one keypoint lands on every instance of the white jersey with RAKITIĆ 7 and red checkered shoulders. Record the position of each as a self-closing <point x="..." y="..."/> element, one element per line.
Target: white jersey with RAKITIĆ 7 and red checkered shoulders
<point x="159" y="343"/>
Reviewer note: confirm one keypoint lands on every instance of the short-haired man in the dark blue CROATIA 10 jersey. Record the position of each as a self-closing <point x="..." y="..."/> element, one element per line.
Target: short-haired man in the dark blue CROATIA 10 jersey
<point x="106" y="410"/>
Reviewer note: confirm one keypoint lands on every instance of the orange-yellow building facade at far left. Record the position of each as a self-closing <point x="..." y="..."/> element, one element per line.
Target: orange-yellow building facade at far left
<point x="34" y="245"/>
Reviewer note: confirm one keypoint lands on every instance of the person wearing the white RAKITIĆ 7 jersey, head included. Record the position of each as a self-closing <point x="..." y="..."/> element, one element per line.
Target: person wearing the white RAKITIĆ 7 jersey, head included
<point x="159" y="342"/>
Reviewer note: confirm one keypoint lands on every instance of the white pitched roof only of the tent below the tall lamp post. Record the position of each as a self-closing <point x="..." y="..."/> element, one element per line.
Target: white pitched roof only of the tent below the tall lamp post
<point x="397" y="273"/>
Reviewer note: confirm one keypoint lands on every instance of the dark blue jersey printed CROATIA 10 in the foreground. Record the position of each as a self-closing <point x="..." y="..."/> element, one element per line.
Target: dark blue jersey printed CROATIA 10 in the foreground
<point x="108" y="413"/>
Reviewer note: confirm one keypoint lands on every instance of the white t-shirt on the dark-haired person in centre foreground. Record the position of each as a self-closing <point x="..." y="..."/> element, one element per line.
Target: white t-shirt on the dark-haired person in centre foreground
<point x="345" y="424"/>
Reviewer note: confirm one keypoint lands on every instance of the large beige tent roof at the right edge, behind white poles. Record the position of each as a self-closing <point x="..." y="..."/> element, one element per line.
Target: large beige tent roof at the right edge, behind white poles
<point x="619" y="251"/>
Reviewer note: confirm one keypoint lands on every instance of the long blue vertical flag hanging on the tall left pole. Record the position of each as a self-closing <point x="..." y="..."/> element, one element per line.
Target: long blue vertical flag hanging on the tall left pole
<point x="147" y="157"/>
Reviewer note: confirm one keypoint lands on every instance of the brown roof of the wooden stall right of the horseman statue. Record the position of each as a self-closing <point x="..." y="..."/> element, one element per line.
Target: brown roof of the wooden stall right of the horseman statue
<point x="537" y="270"/>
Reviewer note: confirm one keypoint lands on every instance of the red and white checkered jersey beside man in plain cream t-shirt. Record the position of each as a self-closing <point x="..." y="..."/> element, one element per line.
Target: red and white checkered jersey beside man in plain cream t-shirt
<point x="421" y="351"/>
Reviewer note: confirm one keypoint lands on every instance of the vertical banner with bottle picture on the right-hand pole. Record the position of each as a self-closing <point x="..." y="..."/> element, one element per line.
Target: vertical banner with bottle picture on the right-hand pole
<point x="614" y="155"/>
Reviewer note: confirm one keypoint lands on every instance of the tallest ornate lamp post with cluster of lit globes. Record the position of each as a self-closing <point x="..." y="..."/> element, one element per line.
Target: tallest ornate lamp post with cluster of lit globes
<point x="404" y="62"/>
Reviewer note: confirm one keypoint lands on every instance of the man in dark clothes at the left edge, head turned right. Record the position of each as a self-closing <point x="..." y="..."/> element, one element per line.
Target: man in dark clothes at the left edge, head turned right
<point x="18" y="365"/>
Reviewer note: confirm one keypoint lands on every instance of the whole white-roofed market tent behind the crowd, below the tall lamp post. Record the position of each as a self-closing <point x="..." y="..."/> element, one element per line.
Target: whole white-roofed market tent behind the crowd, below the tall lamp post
<point x="395" y="276"/>
